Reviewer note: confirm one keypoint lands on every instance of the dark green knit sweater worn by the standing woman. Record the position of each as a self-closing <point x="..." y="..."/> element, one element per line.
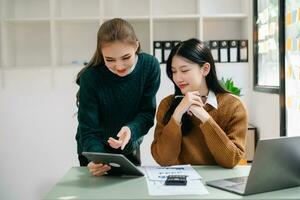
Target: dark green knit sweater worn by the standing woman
<point x="108" y="102"/>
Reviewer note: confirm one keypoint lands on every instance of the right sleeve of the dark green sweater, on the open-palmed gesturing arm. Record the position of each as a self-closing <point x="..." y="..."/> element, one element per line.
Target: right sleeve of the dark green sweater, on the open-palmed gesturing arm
<point x="143" y="121"/>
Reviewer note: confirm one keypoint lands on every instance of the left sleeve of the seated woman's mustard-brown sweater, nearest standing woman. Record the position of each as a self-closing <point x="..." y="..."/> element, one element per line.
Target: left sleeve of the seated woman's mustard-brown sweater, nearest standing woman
<point x="166" y="145"/>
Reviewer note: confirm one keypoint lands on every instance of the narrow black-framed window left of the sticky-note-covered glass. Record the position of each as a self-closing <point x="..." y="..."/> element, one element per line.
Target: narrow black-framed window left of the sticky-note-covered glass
<point x="268" y="46"/>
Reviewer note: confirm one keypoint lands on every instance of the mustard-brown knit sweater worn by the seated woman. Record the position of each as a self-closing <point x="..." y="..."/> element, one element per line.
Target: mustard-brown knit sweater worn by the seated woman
<point x="220" y="140"/>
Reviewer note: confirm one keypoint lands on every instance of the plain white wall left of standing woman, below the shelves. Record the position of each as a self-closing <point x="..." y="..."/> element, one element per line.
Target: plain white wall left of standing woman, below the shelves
<point x="37" y="131"/>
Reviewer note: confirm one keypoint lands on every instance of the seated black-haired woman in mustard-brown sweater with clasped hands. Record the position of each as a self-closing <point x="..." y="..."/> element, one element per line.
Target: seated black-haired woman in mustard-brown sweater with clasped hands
<point x="202" y="123"/>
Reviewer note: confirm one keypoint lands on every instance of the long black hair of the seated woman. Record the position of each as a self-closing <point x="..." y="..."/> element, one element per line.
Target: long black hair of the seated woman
<point x="197" y="52"/>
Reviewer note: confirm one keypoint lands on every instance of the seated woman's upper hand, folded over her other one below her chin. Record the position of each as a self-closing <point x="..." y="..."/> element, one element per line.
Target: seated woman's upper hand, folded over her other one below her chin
<point x="190" y="98"/>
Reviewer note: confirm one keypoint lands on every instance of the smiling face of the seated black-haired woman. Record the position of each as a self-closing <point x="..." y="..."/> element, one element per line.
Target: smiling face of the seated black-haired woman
<point x="189" y="76"/>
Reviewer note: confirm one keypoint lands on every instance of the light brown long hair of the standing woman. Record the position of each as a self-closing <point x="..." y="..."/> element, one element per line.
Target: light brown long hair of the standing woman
<point x="110" y="31"/>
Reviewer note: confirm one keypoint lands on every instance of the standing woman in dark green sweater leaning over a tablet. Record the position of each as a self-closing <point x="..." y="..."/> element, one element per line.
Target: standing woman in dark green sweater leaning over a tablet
<point x="116" y="96"/>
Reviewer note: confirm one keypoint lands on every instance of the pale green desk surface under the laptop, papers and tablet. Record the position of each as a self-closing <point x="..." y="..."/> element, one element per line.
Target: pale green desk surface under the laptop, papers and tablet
<point x="79" y="184"/>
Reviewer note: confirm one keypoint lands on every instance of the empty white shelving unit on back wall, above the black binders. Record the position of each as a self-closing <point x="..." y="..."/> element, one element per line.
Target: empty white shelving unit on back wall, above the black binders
<point x="55" y="33"/>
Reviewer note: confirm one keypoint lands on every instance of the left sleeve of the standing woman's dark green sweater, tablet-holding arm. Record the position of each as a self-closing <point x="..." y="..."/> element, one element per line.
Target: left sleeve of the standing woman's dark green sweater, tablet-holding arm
<point x="90" y="131"/>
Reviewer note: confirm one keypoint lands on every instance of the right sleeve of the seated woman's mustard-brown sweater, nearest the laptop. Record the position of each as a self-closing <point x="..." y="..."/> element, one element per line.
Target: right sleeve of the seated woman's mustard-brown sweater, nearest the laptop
<point x="227" y="147"/>
